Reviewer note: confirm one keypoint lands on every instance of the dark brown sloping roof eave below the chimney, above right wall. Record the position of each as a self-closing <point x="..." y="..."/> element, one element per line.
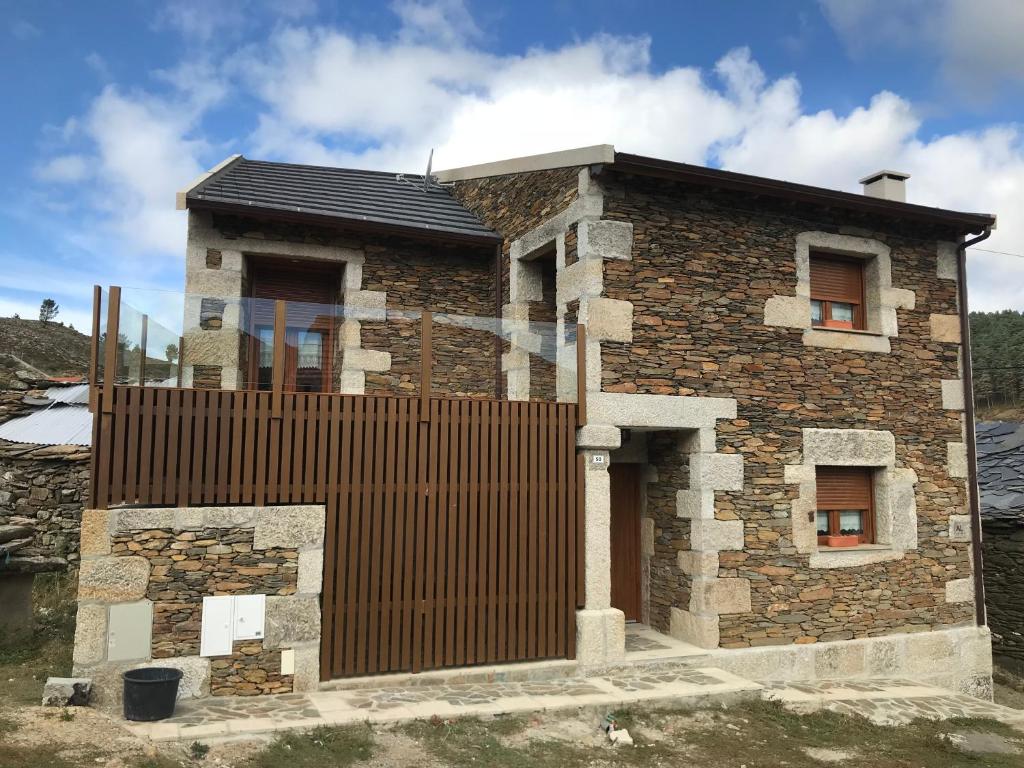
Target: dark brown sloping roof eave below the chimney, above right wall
<point x="966" y="224"/>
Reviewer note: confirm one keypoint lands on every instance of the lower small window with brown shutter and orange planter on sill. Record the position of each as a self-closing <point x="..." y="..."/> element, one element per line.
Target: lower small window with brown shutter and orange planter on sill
<point x="845" y="506"/>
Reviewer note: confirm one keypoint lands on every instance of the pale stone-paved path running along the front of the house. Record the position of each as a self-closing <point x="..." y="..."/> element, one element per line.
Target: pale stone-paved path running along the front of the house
<point x="883" y="702"/>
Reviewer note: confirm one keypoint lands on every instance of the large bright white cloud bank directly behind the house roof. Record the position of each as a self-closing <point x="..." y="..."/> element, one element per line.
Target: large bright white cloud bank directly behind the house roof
<point x="332" y="98"/>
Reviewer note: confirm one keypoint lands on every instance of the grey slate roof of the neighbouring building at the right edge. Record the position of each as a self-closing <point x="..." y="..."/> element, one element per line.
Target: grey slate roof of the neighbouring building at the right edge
<point x="1001" y="470"/>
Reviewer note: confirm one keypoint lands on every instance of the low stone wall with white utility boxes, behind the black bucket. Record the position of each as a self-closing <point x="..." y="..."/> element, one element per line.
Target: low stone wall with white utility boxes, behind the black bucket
<point x="145" y="574"/>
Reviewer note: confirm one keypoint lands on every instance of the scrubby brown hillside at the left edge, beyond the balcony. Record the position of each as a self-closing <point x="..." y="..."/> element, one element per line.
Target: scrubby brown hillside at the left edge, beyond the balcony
<point x="53" y="349"/>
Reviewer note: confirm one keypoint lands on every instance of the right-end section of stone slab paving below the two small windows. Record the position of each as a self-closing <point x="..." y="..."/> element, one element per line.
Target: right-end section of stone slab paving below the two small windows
<point x="888" y="702"/>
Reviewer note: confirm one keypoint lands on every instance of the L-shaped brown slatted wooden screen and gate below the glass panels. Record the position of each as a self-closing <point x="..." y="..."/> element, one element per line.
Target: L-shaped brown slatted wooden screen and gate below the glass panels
<point x="454" y="527"/>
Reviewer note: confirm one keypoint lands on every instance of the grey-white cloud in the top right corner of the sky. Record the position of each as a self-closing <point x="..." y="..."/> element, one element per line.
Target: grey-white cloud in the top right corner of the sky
<point x="978" y="42"/>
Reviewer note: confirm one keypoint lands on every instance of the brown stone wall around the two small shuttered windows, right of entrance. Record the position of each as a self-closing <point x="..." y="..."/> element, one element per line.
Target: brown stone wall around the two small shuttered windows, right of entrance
<point x="703" y="267"/>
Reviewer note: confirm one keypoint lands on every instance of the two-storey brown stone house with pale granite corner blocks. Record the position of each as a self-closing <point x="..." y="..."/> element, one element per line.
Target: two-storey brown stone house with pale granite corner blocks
<point x="774" y="474"/>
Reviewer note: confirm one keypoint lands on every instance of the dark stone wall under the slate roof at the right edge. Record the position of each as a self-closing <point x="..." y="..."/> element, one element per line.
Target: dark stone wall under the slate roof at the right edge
<point x="1004" y="558"/>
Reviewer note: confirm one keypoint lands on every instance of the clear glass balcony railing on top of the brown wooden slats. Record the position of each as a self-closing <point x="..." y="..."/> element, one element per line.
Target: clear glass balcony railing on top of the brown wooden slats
<point x="167" y="339"/>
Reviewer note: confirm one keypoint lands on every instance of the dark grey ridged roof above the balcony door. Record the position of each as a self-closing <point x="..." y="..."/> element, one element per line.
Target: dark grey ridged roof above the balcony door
<point x="342" y="194"/>
